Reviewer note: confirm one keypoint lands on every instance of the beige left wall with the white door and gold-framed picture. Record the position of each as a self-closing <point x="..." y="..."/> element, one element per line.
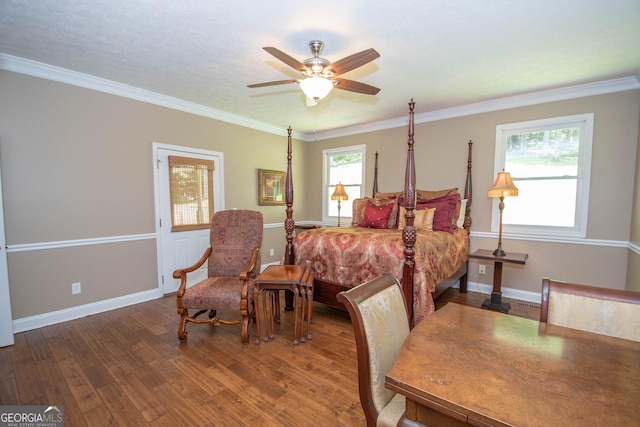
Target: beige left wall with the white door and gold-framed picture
<point x="77" y="164"/>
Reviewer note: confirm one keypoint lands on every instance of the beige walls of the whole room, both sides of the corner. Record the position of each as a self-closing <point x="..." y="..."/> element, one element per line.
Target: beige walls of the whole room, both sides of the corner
<point x="76" y="164"/>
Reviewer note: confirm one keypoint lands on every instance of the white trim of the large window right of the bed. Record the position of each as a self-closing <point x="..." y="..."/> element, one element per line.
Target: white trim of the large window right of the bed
<point x="585" y="123"/>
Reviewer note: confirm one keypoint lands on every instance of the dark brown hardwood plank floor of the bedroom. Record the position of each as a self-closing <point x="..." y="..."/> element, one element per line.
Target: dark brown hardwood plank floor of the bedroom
<point x="126" y="367"/>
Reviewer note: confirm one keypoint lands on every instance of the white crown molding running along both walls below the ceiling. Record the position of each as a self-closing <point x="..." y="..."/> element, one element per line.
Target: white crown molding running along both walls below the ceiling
<point x="62" y="75"/>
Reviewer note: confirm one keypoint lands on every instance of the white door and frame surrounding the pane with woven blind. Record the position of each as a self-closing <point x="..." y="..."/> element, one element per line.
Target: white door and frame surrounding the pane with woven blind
<point x="183" y="248"/>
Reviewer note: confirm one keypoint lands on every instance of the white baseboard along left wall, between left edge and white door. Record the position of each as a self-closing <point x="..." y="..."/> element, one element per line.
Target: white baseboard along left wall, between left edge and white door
<point x="46" y="319"/>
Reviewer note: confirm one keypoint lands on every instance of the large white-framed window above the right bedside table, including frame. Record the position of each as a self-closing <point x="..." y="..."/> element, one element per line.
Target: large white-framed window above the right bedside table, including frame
<point x="549" y="161"/>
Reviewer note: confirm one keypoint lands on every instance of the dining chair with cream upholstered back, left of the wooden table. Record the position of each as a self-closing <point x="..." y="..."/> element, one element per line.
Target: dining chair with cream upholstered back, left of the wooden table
<point x="380" y="321"/>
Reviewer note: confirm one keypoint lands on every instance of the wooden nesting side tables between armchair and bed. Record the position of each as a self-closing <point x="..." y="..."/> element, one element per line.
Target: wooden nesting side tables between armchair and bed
<point x="295" y="278"/>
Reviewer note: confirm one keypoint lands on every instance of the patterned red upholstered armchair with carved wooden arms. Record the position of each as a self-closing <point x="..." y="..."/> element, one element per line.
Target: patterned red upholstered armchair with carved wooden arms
<point x="234" y="261"/>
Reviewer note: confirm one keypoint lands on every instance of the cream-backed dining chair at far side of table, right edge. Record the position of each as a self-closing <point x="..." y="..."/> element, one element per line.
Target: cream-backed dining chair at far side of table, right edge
<point x="603" y="311"/>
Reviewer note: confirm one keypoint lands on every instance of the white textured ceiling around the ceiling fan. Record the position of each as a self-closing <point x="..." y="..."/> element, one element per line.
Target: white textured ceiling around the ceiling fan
<point x="441" y="53"/>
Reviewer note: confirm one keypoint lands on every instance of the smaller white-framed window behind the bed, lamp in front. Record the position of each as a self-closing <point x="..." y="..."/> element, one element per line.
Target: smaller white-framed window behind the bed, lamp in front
<point x="344" y="165"/>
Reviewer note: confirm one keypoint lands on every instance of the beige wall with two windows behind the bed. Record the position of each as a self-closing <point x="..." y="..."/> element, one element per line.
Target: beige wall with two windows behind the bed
<point x="441" y="148"/>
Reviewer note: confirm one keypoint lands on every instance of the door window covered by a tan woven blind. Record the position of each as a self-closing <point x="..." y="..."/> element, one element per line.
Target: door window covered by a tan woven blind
<point x="191" y="192"/>
